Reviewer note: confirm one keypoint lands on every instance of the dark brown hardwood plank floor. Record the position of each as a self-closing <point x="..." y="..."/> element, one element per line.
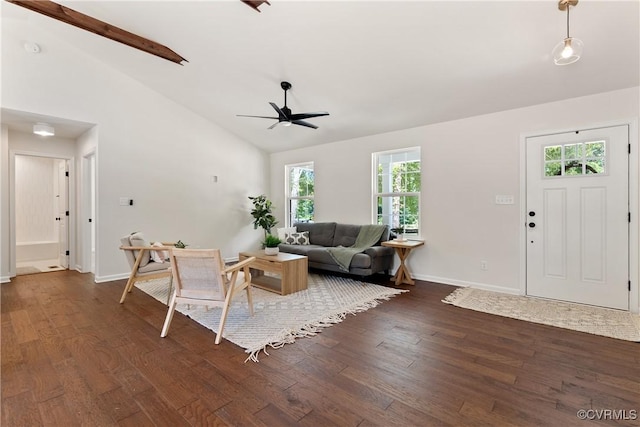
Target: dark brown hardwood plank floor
<point x="73" y="356"/>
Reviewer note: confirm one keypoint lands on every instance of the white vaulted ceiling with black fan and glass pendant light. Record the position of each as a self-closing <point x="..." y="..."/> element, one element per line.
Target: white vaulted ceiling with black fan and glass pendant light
<point x="375" y="66"/>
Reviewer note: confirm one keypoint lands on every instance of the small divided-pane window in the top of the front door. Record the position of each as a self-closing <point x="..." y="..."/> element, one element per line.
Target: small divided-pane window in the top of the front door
<point x="582" y="158"/>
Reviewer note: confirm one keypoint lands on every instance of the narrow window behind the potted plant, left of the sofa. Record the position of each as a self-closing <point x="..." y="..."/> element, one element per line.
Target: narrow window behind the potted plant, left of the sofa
<point x="299" y="191"/>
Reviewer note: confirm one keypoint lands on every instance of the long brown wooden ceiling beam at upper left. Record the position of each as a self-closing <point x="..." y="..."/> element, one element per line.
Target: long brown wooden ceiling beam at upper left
<point x="101" y="28"/>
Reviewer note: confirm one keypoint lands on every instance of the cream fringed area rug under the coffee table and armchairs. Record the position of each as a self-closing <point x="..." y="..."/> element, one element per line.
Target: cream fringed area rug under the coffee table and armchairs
<point x="279" y="320"/>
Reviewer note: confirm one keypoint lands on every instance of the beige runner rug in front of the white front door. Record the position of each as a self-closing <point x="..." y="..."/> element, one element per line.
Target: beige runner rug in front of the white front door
<point x="584" y="318"/>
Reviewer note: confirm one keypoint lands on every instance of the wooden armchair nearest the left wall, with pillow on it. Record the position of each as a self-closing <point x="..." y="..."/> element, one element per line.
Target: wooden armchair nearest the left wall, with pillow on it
<point x="138" y="254"/>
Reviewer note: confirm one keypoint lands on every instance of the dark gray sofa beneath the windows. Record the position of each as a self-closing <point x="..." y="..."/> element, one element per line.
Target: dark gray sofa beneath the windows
<point x="322" y="235"/>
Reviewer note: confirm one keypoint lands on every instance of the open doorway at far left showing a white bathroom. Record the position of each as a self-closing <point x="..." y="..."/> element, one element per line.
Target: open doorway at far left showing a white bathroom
<point x="41" y="213"/>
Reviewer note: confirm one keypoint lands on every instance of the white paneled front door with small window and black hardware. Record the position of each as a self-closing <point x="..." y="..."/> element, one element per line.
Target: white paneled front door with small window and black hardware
<point x="577" y="217"/>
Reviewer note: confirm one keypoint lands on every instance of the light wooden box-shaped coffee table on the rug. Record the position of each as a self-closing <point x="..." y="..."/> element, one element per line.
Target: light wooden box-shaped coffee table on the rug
<point x="291" y="268"/>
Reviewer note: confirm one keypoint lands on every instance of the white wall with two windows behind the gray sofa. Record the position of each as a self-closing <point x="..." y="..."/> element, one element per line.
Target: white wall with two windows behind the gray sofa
<point x="465" y="164"/>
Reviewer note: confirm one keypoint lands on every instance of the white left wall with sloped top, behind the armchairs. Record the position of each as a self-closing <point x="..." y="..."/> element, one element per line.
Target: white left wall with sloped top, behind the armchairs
<point x="151" y="149"/>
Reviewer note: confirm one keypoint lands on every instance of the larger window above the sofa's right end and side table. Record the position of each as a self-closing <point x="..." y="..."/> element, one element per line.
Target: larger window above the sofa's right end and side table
<point x="396" y="195"/>
